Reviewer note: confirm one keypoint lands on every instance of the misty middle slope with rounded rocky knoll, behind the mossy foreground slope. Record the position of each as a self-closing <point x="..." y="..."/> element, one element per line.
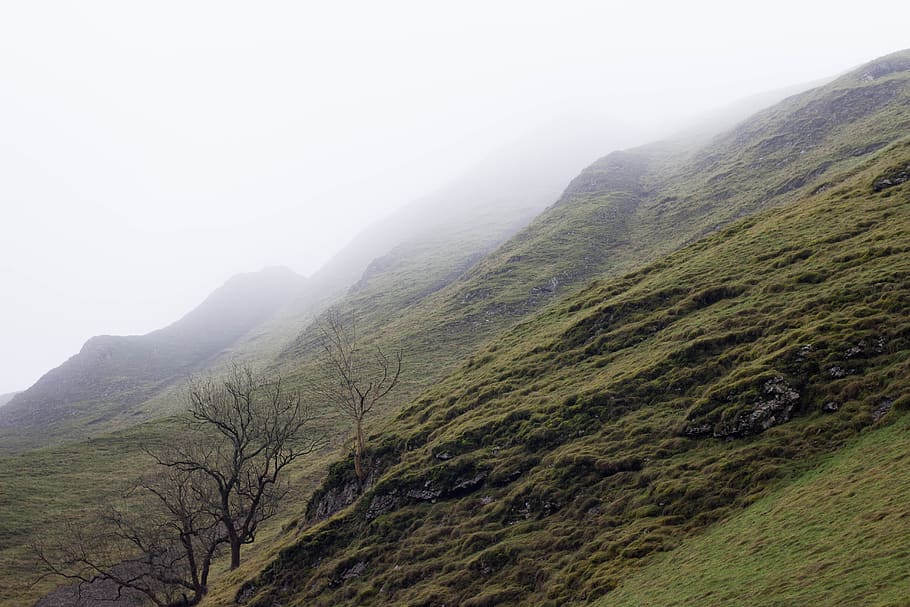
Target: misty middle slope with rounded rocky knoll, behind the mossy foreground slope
<point x="634" y="206"/>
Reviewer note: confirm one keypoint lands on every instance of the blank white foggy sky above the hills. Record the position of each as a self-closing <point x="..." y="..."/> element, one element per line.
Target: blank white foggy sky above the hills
<point x="149" y="150"/>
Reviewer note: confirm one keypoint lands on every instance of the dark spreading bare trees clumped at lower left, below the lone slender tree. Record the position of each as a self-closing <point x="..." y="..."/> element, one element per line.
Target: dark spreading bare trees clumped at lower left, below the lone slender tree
<point x="215" y="484"/>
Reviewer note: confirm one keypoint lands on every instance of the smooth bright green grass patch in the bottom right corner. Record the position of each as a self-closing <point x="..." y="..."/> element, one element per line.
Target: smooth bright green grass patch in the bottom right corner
<point x="837" y="535"/>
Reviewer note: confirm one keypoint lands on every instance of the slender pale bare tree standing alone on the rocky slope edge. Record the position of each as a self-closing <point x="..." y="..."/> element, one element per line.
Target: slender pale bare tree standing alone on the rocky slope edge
<point x="354" y="380"/>
